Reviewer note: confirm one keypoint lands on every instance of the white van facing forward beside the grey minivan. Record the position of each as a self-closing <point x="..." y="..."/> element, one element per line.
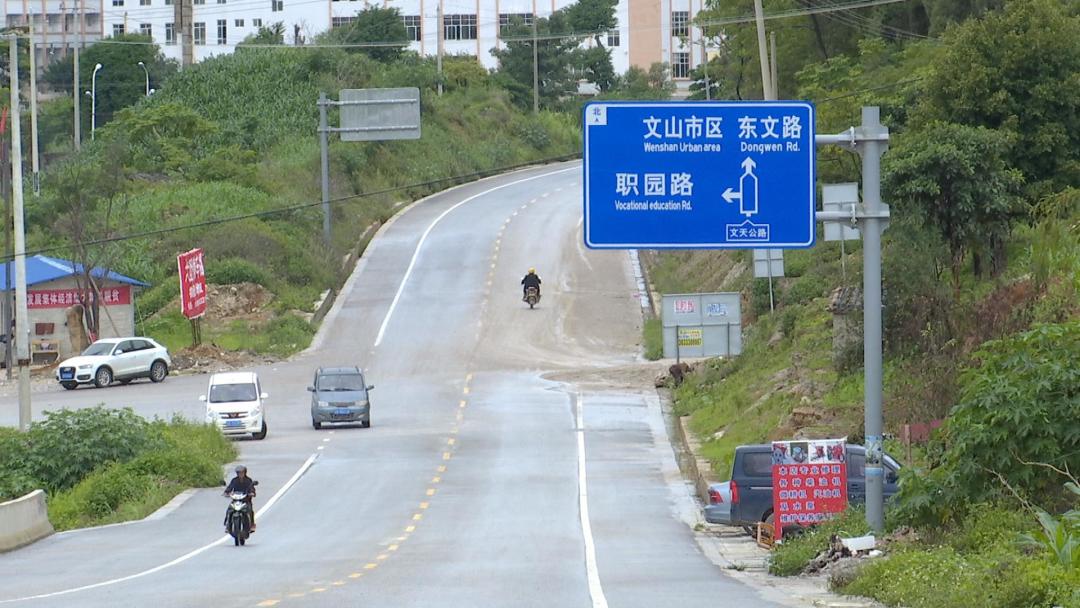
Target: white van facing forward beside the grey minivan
<point x="235" y="402"/>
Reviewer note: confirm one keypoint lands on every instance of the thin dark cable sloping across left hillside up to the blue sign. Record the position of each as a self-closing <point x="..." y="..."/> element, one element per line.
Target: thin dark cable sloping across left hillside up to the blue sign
<point x="300" y="207"/>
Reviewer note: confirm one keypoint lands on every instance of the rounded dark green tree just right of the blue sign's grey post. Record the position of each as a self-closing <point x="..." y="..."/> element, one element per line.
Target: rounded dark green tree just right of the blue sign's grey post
<point x="955" y="179"/>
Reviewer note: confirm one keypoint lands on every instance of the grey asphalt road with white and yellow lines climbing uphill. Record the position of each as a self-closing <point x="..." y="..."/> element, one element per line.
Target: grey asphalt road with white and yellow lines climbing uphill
<point x="483" y="480"/>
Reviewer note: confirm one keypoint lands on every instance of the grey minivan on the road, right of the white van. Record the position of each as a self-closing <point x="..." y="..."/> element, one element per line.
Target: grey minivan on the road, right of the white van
<point x="341" y="395"/>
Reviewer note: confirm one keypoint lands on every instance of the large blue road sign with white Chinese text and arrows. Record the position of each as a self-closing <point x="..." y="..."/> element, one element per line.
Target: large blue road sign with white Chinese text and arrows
<point x="699" y="175"/>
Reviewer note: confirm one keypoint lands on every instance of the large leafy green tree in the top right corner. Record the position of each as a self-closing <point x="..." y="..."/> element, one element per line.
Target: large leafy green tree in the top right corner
<point x="1017" y="71"/>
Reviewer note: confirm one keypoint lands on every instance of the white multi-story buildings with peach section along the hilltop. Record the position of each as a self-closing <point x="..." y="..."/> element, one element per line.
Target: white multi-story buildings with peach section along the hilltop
<point x="647" y="31"/>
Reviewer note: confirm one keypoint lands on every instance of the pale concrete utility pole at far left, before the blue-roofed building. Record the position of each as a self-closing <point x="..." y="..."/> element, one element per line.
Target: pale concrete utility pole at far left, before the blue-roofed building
<point x="22" y="328"/>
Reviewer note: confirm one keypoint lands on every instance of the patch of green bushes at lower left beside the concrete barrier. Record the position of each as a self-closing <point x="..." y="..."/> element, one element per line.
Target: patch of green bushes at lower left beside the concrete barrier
<point x="103" y="466"/>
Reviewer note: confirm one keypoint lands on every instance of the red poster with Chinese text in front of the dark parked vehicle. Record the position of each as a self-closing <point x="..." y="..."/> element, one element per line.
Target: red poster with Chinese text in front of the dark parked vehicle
<point x="809" y="482"/>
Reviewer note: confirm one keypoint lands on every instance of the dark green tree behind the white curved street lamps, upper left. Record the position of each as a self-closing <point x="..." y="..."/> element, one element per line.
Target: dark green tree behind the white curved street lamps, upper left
<point x="121" y="82"/>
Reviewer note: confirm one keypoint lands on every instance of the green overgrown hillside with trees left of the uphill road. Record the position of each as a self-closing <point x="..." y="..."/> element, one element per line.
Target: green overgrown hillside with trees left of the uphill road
<point x="235" y="138"/>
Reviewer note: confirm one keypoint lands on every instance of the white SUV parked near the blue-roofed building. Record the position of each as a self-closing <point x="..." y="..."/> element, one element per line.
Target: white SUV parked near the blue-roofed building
<point x="112" y="360"/>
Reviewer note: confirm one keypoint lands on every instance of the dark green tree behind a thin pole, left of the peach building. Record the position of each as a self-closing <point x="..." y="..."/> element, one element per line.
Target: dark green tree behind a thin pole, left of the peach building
<point x="555" y="60"/>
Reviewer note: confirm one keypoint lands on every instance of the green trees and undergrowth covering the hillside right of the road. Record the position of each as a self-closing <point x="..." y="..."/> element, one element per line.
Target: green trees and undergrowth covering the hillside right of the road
<point x="982" y="315"/>
